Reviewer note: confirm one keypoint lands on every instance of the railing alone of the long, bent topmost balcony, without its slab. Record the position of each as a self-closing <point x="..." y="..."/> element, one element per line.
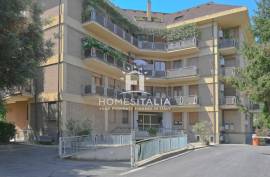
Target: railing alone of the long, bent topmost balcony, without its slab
<point x="146" y="45"/>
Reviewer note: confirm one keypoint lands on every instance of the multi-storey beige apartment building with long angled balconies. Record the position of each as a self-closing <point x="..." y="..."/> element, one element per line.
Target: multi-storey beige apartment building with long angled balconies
<point x="190" y="72"/>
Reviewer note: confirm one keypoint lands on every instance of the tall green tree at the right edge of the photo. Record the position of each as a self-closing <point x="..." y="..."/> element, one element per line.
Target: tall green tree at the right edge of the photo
<point x="254" y="79"/>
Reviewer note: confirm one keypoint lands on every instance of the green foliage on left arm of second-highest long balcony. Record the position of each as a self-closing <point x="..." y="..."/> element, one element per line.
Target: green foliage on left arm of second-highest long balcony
<point x="90" y="42"/>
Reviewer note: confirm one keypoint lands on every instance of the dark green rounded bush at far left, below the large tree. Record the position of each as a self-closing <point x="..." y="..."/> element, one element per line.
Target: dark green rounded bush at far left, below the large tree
<point x="7" y="131"/>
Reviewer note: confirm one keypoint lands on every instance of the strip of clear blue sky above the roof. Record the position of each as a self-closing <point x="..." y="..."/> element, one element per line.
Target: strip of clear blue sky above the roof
<point x="176" y="5"/>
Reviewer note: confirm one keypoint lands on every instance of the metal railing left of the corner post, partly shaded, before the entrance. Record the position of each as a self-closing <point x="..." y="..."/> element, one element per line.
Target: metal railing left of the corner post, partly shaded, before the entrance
<point x="69" y="146"/>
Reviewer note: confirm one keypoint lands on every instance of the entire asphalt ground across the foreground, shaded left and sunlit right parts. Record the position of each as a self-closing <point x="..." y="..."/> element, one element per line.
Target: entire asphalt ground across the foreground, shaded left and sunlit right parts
<point x="217" y="161"/>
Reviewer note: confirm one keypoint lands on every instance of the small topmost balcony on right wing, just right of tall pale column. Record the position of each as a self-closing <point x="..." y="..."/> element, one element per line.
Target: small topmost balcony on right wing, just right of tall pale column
<point x="228" y="46"/>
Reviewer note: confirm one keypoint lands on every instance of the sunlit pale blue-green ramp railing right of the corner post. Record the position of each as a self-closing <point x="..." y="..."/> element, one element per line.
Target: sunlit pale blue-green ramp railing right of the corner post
<point x="147" y="149"/>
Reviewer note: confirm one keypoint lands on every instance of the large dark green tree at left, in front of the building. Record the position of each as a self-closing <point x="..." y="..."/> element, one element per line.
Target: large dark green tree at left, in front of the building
<point x="22" y="47"/>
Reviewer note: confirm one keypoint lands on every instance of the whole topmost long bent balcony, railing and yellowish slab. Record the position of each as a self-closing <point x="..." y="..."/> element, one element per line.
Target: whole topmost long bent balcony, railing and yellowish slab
<point x="103" y="28"/>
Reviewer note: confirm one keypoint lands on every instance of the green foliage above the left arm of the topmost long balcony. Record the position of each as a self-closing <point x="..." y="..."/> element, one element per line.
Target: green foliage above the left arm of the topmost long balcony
<point x="113" y="13"/>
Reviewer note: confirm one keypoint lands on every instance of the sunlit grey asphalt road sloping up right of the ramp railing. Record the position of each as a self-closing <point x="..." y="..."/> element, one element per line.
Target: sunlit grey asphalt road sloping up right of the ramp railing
<point x="218" y="161"/>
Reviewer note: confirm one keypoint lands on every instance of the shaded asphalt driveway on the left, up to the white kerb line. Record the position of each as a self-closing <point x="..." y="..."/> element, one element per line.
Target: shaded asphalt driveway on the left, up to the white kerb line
<point x="42" y="161"/>
